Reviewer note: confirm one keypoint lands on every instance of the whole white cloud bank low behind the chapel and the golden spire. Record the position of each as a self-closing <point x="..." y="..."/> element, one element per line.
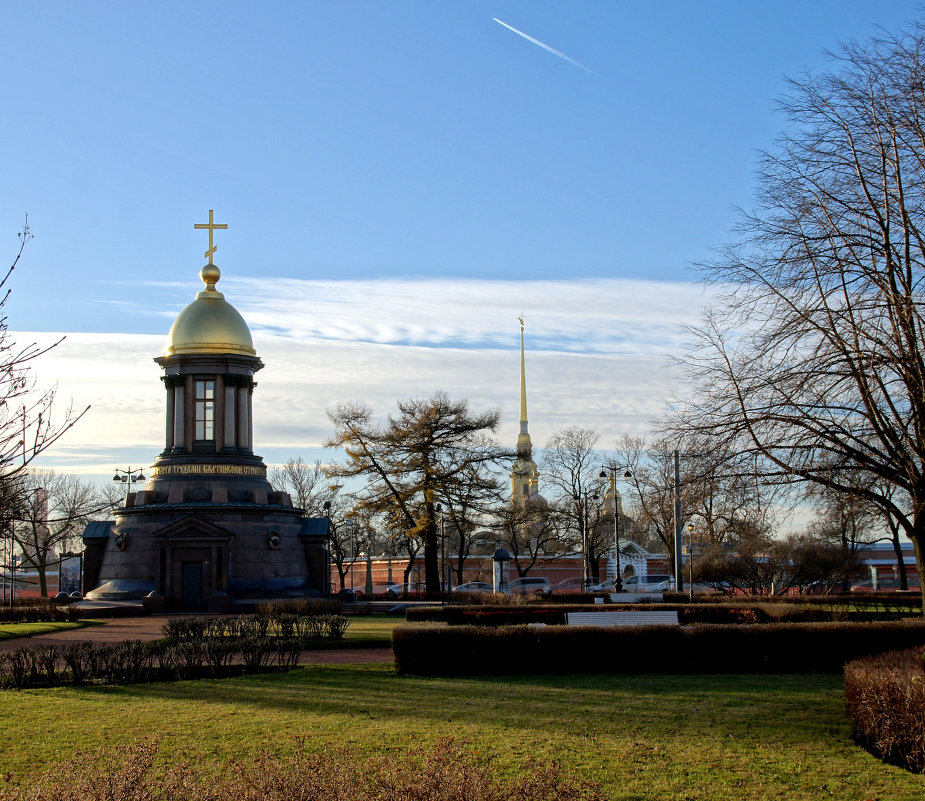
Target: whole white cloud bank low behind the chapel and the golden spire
<point x="595" y="358"/>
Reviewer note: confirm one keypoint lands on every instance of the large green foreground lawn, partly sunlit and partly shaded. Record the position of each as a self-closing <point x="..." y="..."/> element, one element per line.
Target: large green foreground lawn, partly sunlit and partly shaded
<point x="644" y="737"/>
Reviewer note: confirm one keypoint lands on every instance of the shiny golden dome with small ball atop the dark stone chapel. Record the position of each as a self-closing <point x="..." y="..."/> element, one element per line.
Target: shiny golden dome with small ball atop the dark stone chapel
<point x="209" y="324"/>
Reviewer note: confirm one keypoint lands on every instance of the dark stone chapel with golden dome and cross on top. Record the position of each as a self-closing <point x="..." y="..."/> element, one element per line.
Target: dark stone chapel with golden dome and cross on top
<point x="207" y="531"/>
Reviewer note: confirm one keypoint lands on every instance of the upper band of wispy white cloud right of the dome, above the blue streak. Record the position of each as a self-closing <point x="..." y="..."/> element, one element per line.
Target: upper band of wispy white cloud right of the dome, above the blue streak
<point x="600" y="315"/>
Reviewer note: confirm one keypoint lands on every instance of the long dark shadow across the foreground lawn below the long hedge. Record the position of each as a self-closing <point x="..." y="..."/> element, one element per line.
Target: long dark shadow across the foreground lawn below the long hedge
<point x="791" y="708"/>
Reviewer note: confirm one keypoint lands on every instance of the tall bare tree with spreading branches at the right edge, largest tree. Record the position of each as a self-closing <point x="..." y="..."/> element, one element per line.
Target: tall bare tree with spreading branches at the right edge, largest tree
<point x="814" y="358"/>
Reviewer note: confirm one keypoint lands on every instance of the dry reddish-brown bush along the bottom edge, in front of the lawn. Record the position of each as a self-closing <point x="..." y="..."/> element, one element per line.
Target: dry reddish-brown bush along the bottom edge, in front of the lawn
<point x="445" y="772"/>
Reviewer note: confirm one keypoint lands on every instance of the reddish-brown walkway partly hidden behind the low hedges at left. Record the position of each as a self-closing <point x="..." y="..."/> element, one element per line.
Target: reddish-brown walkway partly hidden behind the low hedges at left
<point x="151" y="628"/>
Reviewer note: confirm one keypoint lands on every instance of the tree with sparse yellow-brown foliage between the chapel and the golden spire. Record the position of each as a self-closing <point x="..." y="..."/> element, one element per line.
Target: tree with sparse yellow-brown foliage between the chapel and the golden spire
<point x="419" y="457"/>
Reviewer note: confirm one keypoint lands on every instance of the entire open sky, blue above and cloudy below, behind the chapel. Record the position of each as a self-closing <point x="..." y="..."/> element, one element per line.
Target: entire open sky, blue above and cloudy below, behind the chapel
<point x="400" y="180"/>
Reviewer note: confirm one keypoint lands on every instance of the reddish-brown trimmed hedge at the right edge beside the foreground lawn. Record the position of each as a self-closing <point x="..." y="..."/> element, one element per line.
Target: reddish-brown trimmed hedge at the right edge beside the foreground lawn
<point x="885" y="697"/>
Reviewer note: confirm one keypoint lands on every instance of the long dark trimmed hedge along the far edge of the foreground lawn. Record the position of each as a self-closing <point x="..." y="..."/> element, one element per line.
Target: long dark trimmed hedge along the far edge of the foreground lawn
<point x="708" y="648"/>
